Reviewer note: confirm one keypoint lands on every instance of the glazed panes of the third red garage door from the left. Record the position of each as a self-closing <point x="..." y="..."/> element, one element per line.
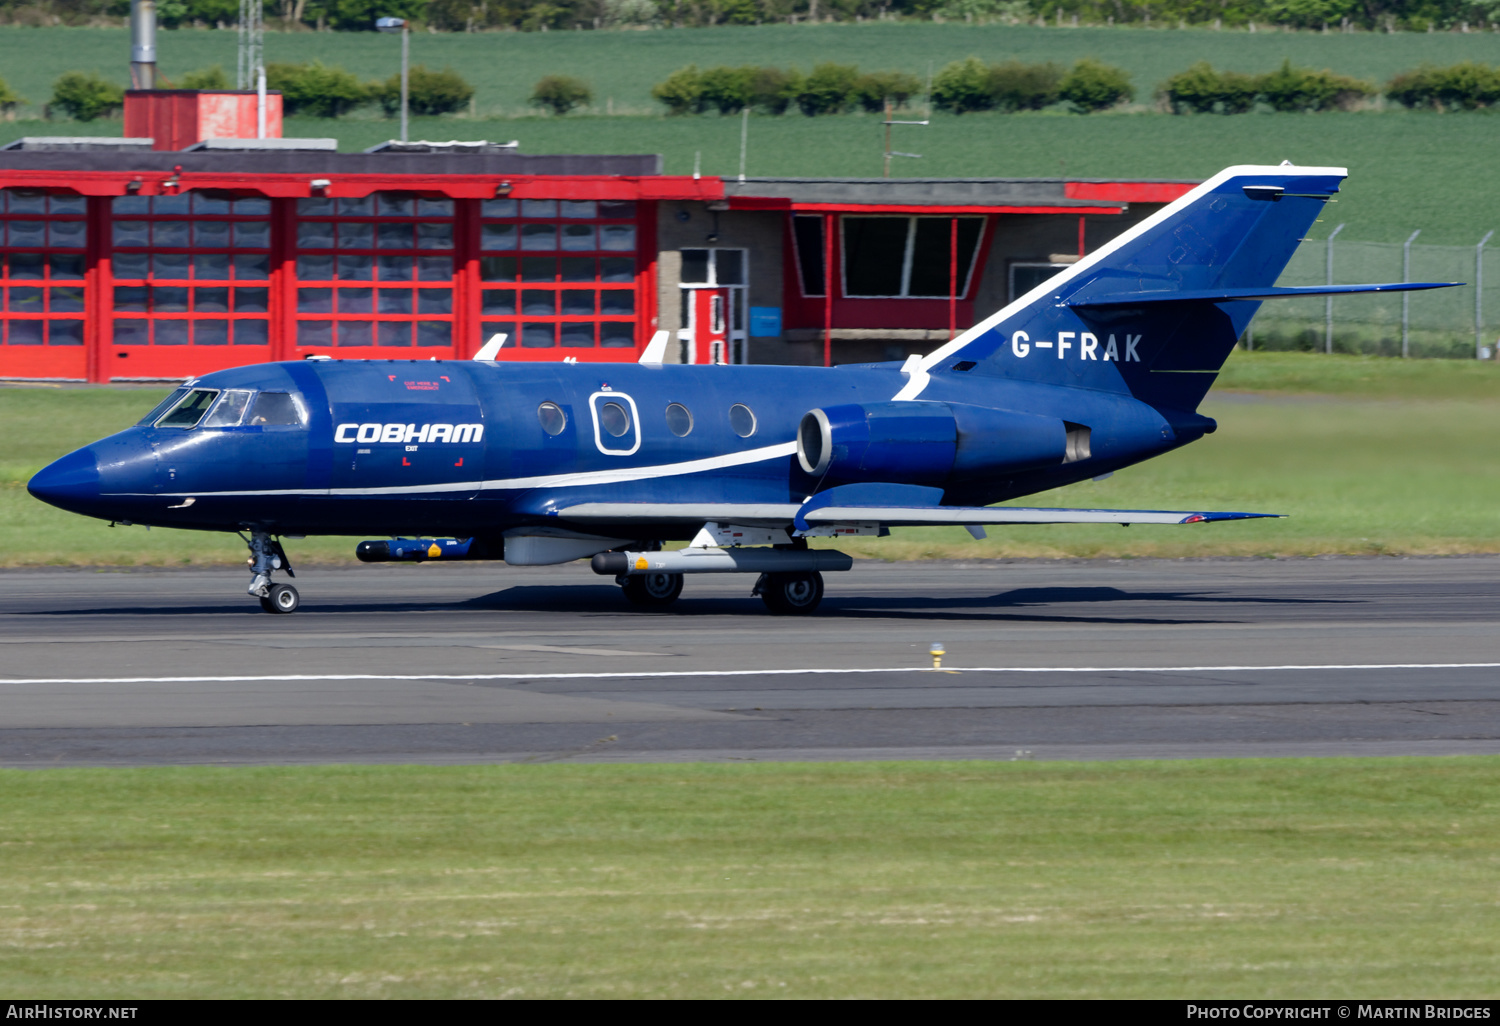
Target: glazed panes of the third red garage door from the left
<point x="376" y="272"/>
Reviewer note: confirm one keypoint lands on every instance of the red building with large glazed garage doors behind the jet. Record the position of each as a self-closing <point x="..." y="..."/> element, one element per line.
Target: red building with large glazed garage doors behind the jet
<point x="139" y="265"/>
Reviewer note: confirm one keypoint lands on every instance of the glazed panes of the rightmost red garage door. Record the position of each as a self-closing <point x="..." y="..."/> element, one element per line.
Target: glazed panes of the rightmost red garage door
<point x="559" y="274"/>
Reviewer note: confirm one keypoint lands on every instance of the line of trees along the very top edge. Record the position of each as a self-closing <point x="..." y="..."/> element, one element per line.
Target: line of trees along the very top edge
<point x="544" y="16"/>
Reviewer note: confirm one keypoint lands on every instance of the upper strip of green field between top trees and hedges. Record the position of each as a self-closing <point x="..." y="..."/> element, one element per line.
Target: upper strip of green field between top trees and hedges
<point x="622" y="67"/>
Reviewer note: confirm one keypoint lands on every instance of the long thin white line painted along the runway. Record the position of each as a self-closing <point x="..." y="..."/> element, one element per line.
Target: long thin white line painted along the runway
<point x="755" y="673"/>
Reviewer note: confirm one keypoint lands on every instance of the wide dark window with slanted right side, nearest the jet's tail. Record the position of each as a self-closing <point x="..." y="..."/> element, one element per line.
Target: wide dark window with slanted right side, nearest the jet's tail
<point x="908" y="257"/>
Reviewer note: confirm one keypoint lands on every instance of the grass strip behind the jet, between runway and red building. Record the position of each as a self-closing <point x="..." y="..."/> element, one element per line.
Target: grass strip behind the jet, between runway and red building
<point x="1364" y="455"/>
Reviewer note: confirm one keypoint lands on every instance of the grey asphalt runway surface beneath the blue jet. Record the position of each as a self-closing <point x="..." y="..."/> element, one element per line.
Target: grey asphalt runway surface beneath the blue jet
<point x="487" y="664"/>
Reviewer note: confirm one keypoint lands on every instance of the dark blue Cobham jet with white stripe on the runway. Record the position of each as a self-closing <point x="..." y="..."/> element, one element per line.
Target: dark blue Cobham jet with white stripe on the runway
<point x="1099" y="368"/>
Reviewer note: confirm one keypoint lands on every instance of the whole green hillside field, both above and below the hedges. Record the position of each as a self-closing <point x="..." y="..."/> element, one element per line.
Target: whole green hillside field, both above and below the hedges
<point x="1408" y="170"/>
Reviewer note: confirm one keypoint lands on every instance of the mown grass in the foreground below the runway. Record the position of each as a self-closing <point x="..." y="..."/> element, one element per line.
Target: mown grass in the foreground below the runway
<point x="1339" y="878"/>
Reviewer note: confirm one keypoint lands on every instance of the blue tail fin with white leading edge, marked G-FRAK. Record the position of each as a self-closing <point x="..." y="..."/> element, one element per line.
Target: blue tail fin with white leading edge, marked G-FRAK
<point x="1157" y="311"/>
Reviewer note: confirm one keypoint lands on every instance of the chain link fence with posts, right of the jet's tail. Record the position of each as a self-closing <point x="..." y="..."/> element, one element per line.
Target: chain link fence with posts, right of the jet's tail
<point x="1453" y="323"/>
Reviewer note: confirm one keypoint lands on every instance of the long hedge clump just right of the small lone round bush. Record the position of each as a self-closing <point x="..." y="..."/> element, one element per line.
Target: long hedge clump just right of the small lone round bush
<point x="830" y="89"/>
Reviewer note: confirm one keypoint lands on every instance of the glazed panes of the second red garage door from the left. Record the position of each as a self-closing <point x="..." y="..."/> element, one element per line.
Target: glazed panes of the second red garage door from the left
<point x="191" y="271"/>
